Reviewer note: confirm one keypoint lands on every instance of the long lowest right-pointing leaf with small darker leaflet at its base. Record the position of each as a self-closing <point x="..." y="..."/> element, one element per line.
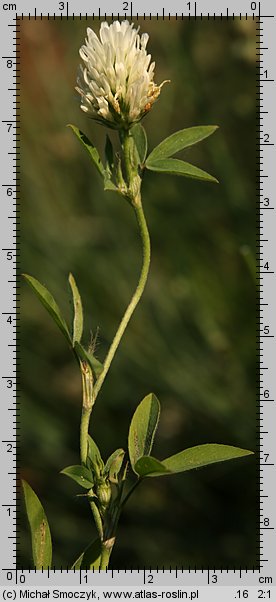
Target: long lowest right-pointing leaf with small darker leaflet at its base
<point x="189" y="459"/>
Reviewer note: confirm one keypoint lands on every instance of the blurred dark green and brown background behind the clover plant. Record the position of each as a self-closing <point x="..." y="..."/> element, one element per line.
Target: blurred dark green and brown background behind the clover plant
<point x="191" y="340"/>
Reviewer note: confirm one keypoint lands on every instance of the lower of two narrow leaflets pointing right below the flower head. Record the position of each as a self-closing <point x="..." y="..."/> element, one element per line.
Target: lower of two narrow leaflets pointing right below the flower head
<point x="179" y="168"/>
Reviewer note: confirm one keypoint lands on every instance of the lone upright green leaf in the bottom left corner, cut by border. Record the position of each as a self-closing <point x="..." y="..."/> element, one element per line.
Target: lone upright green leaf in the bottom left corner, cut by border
<point x="40" y="531"/>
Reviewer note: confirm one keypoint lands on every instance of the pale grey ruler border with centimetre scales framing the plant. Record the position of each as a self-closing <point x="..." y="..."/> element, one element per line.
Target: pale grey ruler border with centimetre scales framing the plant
<point x="257" y="579"/>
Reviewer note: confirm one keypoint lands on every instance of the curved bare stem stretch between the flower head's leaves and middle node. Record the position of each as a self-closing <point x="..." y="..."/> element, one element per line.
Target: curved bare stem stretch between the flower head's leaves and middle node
<point x="135" y="299"/>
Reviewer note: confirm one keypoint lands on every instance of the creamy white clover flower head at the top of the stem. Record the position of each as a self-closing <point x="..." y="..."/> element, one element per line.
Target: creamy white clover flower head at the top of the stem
<point x="116" y="83"/>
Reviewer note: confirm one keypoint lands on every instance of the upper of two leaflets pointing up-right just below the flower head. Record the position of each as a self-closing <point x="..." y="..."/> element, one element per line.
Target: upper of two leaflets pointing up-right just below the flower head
<point x="180" y="140"/>
